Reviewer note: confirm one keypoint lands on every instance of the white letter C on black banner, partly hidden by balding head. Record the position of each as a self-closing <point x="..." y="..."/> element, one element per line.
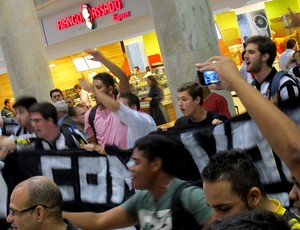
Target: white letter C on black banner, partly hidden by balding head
<point x="48" y="163"/>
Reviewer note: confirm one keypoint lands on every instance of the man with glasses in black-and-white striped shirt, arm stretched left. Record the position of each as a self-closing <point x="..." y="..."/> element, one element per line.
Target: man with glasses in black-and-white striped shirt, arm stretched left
<point x="49" y="135"/>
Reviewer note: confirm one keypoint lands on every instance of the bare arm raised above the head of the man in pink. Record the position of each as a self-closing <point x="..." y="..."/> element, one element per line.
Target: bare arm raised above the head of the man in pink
<point x="124" y="86"/>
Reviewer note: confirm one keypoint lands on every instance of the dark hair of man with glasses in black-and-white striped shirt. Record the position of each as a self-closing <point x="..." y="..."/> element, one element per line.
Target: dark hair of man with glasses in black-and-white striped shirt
<point x="46" y="109"/>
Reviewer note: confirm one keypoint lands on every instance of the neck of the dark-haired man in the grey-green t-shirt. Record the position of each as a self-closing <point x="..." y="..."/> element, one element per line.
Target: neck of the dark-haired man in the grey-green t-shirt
<point x="160" y="187"/>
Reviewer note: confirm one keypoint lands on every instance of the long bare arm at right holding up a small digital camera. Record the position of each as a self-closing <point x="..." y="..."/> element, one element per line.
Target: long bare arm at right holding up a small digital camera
<point x="280" y="131"/>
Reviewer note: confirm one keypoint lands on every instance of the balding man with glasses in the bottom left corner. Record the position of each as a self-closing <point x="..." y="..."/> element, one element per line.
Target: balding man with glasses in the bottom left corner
<point x="36" y="203"/>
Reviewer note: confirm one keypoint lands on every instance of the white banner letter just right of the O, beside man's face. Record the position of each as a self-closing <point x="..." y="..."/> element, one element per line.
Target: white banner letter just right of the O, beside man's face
<point x="120" y="175"/>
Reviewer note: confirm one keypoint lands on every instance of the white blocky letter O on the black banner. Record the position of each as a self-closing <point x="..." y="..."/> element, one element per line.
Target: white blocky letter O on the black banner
<point x="93" y="193"/>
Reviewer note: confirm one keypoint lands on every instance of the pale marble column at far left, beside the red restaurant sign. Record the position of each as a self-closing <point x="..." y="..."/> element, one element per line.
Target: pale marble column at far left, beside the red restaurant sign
<point x="23" y="49"/>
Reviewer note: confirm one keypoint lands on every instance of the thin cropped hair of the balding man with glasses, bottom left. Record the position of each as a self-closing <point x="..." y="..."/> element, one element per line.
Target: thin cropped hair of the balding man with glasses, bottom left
<point x="45" y="194"/>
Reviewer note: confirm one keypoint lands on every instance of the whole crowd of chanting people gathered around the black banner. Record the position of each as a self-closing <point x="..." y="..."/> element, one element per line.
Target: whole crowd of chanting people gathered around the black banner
<point x="232" y="192"/>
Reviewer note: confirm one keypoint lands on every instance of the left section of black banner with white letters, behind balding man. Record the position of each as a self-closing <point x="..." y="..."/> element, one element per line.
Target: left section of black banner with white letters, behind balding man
<point x="88" y="181"/>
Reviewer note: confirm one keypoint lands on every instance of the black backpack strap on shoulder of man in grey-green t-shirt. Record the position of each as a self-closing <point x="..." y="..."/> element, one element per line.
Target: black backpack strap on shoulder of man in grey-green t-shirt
<point x="181" y="219"/>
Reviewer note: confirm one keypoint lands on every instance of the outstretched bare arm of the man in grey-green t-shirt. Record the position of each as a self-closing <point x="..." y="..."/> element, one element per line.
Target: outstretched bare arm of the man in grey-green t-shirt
<point x="111" y="219"/>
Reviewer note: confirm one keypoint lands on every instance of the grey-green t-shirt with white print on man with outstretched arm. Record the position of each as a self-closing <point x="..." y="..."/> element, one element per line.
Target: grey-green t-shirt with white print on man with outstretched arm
<point x="157" y="215"/>
